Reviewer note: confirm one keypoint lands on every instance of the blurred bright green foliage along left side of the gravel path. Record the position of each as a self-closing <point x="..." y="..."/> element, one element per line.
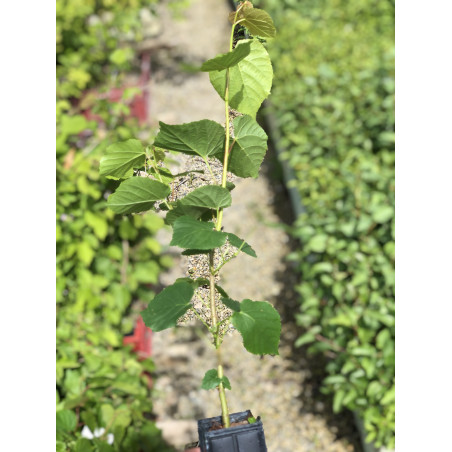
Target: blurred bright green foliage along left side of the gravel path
<point x="104" y="261"/>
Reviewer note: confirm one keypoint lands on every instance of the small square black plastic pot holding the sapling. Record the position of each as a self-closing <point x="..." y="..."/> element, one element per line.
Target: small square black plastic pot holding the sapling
<point x="243" y="438"/>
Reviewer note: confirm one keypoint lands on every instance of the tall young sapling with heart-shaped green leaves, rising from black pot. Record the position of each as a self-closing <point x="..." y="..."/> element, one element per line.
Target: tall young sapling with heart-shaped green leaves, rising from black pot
<point x="243" y="78"/>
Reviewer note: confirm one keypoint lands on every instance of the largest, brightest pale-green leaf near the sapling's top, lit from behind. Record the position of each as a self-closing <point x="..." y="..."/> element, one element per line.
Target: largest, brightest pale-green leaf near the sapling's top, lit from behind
<point x="249" y="81"/>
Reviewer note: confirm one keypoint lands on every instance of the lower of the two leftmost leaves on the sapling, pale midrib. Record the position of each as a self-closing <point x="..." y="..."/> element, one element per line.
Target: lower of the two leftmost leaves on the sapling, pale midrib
<point x="137" y="195"/>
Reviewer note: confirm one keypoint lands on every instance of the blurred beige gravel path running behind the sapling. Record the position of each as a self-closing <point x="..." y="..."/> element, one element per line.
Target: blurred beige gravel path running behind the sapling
<point x="283" y="390"/>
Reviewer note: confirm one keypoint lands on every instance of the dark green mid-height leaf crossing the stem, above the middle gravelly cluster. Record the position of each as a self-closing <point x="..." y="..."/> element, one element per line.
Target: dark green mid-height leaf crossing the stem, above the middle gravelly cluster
<point x="194" y="234"/>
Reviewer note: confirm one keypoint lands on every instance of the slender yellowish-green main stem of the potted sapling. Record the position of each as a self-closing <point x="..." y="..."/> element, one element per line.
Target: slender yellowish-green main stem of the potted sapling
<point x="213" y="308"/>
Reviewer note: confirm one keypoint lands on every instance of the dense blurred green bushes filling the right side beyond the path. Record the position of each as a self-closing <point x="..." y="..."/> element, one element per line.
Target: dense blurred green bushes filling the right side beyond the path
<point x="333" y="99"/>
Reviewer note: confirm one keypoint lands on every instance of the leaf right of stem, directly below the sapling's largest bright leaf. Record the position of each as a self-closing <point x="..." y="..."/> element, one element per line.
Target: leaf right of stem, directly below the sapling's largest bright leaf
<point x="249" y="149"/>
